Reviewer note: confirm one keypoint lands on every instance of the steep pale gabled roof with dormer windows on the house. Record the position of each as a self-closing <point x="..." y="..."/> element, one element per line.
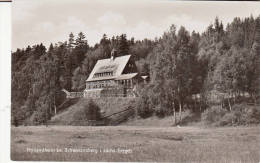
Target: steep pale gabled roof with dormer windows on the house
<point x="115" y="65"/>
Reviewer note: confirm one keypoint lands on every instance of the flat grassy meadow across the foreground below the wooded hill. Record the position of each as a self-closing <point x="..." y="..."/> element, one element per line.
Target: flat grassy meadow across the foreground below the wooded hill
<point x="132" y="143"/>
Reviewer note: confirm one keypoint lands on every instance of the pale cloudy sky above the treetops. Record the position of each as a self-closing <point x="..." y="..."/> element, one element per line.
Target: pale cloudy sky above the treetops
<point x="49" y="21"/>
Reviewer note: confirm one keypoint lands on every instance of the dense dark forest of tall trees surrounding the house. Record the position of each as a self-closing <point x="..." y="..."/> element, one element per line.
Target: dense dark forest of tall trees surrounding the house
<point x="215" y="73"/>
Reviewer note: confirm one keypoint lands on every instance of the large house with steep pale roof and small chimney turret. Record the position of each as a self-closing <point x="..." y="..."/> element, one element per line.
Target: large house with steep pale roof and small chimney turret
<point x="114" y="76"/>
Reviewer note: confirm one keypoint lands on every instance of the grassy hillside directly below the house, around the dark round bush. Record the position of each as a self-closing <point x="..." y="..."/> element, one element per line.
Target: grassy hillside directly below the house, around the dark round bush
<point x="108" y="106"/>
